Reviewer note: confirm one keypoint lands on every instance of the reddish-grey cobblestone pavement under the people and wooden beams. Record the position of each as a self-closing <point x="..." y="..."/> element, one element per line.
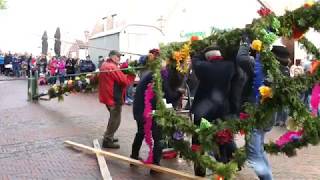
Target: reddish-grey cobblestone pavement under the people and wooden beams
<point x="32" y="135"/>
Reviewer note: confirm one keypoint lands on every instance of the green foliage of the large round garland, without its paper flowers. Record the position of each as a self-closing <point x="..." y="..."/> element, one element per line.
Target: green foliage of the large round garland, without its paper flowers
<point x="286" y="92"/>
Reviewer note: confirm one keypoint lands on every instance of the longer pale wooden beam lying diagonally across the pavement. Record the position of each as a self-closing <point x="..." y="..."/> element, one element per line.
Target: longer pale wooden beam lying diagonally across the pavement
<point x="161" y="169"/>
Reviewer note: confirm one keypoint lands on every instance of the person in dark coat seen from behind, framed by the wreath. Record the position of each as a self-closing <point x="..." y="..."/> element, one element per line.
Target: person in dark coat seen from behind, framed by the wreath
<point x="218" y="95"/>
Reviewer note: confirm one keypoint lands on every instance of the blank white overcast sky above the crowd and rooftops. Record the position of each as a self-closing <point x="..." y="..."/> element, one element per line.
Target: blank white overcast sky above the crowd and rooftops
<point x="23" y="23"/>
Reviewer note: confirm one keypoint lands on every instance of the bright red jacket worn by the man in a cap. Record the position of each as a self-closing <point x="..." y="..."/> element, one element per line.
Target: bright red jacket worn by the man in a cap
<point x="112" y="85"/>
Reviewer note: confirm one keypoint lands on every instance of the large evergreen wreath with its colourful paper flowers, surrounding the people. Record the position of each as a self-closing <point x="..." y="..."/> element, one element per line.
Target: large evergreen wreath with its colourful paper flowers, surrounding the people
<point x="283" y="92"/>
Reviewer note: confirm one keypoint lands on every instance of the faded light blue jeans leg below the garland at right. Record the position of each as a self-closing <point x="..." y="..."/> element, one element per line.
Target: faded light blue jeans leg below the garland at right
<point x="257" y="159"/>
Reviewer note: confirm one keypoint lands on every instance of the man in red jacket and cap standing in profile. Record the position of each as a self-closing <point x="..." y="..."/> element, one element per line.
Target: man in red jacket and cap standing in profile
<point x="112" y="88"/>
